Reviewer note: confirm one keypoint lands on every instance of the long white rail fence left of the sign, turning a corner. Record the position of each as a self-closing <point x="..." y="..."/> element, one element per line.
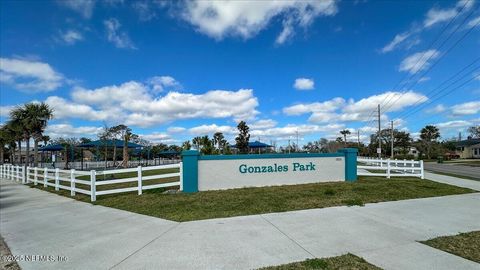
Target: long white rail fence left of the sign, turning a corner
<point x="86" y="182"/>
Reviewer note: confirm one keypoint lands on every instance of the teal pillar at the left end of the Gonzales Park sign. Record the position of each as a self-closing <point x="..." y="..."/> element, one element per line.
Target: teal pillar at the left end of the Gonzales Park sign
<point x="190" y="170"/>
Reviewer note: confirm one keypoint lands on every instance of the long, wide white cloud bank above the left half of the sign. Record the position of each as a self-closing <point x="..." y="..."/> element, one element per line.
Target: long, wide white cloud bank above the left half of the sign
<point x="140" y="107"/>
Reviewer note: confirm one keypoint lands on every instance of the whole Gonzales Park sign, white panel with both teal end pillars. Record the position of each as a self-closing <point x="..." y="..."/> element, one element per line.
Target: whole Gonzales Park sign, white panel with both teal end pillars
<point x="216" y="172"/>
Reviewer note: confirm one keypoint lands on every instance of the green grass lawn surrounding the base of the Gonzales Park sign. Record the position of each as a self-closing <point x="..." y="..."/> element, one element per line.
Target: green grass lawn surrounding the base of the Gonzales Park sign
<point x="250" y="201"/>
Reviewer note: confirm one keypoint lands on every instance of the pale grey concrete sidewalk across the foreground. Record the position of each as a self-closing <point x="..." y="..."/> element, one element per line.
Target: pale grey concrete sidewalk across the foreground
<point x="34" y="222"/>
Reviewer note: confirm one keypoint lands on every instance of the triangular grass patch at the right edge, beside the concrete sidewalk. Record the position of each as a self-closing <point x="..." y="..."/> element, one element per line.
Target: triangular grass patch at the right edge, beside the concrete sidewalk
<point x="466" y="245"/>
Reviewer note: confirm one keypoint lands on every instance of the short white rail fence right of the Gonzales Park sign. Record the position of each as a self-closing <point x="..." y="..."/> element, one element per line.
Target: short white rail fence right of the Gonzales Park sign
<point x="390" y="168"/>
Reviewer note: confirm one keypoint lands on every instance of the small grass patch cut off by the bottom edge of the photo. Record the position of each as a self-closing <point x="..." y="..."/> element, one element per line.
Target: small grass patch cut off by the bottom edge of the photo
<point x="348" y="261"/>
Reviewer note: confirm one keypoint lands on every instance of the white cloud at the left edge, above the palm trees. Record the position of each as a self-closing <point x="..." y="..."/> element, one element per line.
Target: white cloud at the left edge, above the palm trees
<point x="29" y="75"/>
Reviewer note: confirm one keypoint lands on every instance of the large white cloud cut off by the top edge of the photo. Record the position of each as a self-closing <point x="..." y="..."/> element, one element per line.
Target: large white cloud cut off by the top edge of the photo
<point x="245" y="19"/>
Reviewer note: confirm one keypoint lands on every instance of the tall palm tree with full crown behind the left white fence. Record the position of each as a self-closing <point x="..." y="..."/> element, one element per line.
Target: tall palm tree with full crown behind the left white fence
<point x="33" y="118"/>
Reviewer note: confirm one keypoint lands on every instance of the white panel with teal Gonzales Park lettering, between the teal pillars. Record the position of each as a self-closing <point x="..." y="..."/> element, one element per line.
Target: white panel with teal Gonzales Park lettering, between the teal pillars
<point x="238" y="173"/>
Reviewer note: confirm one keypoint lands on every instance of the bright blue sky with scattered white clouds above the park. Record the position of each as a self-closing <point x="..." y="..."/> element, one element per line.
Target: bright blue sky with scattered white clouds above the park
<point x="175" y="70"/>
